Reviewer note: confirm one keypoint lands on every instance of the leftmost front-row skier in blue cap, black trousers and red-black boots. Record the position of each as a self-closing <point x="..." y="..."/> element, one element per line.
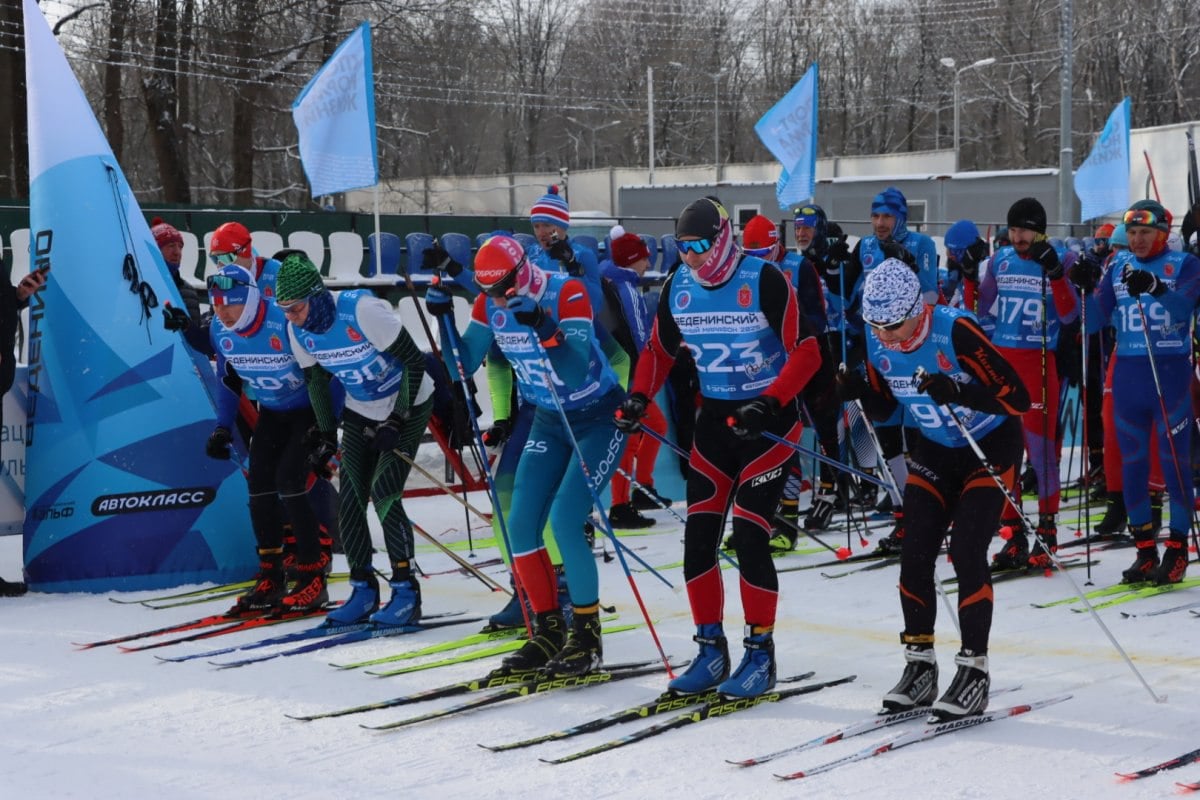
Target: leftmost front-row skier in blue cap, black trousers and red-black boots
<point x="248" y="340"/>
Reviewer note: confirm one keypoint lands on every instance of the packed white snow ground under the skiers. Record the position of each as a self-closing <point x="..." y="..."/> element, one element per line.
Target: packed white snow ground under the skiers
<point x="105" y="724"/>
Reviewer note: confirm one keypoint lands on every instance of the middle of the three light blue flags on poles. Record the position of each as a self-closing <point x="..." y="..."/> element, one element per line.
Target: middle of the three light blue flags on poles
<point x="790" y="131"/>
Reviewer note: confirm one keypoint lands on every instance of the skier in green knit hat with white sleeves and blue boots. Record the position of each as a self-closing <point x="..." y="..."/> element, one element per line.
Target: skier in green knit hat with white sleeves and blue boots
<point x="388" y="404"/>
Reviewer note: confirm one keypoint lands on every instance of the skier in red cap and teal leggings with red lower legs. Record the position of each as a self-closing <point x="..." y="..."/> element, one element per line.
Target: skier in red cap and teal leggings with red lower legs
<point x="542" y="323"/>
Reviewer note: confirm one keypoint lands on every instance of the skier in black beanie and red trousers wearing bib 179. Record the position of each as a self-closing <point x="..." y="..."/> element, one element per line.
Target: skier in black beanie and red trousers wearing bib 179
<point x="1029" y="281"/>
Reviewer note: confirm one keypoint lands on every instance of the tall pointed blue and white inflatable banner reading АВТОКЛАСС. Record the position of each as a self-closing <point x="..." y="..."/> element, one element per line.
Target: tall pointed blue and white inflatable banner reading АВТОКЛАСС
<point x="119" y="494"/>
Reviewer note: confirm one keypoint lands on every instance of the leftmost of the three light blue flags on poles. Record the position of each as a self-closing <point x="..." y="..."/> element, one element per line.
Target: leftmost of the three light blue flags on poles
<point x="335" y="119"/>
